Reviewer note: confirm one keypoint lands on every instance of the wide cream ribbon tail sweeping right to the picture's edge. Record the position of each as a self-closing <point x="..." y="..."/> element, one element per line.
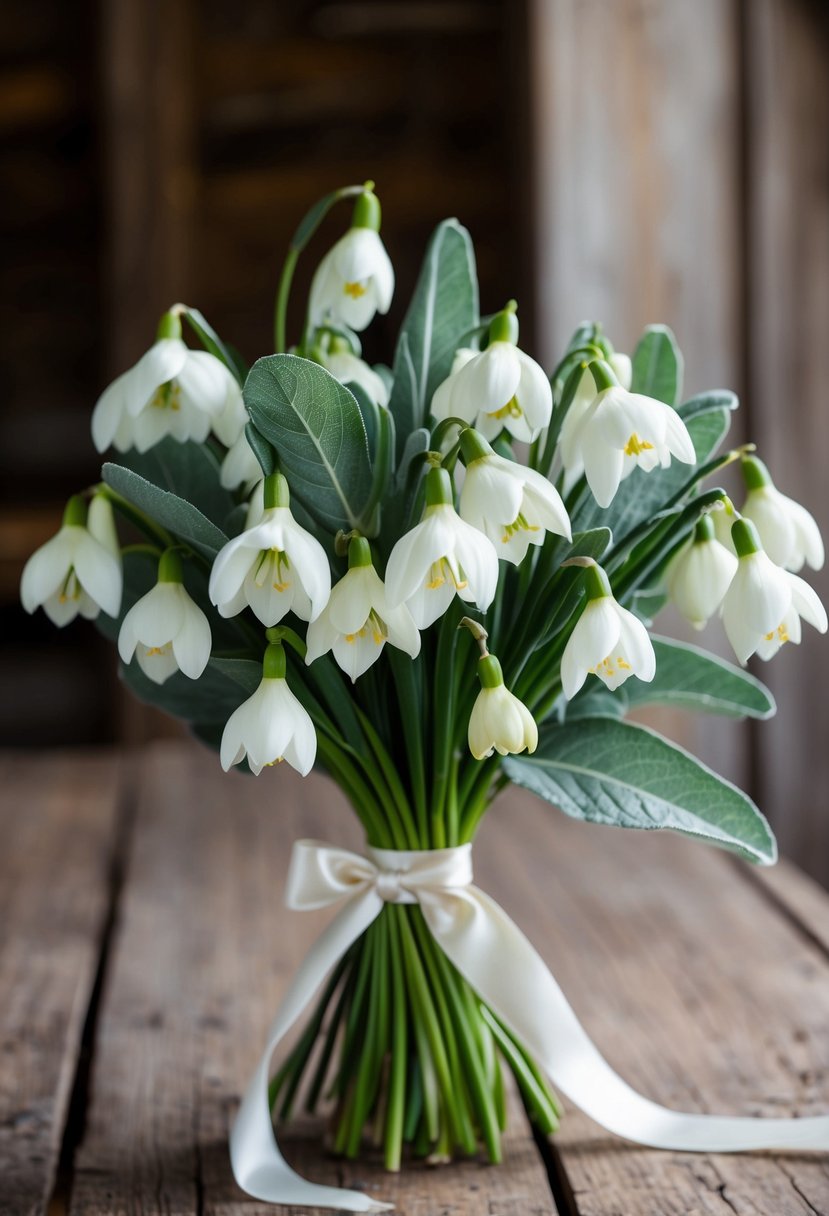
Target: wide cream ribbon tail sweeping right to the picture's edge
<point x="497" y="959"/>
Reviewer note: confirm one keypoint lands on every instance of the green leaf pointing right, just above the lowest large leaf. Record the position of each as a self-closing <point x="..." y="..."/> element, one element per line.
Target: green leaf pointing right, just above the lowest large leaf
<point x="693" y="679"/>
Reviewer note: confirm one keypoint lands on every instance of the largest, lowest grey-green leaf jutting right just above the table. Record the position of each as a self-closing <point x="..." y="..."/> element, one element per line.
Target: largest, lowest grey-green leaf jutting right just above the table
<point x="628" y="776"/>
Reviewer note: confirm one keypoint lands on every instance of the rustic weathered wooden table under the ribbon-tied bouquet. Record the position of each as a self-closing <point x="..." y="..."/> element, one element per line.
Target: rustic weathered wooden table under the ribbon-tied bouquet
<point x="145" y="948"/>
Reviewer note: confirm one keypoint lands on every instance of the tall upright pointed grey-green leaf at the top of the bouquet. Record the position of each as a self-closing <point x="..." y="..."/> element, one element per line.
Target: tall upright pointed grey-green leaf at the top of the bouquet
<point x="443" y="309"/>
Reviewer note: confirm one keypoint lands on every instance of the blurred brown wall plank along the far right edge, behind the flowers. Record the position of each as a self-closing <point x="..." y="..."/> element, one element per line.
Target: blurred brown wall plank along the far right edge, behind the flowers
<point x="788" y="226"/>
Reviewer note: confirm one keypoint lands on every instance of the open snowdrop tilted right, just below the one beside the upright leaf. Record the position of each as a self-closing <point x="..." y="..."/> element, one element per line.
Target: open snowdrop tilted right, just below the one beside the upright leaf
<point x="512" y="505"/>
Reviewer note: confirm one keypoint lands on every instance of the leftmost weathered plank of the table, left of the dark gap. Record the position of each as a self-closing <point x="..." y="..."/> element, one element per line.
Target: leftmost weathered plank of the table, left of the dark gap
<point x="59" y="823"/>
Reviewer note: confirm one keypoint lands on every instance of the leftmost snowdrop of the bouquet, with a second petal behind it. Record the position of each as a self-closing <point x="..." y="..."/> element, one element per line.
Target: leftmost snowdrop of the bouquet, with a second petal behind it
<point x="80" y="570"/>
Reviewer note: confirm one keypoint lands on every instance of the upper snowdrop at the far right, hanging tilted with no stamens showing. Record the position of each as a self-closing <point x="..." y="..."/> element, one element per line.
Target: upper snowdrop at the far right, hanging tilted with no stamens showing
<point x="788" y="532"/>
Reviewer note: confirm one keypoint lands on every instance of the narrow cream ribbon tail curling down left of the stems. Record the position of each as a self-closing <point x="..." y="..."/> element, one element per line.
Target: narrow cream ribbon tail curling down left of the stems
<point x="258" y="1166"/>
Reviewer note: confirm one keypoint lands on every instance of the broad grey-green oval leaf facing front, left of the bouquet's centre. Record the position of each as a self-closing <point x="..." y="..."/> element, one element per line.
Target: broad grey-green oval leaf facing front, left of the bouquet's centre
<point x="317" y="427"/>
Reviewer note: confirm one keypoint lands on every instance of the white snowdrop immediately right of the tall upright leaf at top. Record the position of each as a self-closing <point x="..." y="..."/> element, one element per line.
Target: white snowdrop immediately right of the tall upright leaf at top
<point x="498" y="387"/>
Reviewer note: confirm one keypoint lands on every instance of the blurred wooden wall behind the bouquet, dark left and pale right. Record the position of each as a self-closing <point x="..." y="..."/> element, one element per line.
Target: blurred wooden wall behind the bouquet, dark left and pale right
<point x="630" y="161"/>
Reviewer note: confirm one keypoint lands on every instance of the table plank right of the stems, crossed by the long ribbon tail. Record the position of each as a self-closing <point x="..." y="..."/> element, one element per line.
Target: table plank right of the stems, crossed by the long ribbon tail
<point x="696" y="988"/>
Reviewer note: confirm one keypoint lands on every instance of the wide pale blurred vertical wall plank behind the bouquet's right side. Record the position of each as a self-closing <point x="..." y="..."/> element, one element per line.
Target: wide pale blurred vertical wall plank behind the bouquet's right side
<point x="638" y="195"/>
